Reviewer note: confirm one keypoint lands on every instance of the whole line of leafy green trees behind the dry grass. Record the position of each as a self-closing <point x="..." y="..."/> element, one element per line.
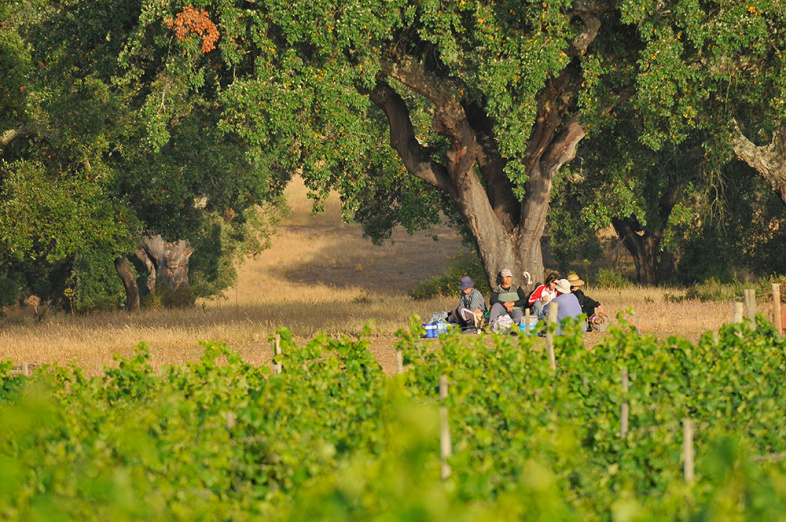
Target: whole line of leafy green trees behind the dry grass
<point x="120" y="120"/>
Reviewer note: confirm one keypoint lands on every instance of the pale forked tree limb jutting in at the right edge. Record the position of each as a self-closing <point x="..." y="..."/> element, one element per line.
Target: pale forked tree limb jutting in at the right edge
<point x="769" y="160"/>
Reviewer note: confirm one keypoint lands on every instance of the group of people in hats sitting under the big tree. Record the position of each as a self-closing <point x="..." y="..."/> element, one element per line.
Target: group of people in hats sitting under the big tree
<point x="511" y="300"/>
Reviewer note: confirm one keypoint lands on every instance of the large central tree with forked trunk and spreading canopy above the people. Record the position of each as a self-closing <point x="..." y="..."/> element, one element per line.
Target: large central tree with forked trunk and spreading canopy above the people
<point x="480" y="103"/>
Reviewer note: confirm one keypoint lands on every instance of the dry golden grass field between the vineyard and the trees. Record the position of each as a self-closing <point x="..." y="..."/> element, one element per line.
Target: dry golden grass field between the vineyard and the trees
<point x="319" y="275"/>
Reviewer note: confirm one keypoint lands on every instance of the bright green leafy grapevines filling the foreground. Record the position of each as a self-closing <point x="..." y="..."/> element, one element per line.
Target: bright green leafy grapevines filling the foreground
<point x="332" y="437"/>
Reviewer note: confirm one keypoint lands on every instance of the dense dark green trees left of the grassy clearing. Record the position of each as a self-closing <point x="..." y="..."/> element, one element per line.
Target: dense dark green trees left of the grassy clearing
<point x="91" y="164"/>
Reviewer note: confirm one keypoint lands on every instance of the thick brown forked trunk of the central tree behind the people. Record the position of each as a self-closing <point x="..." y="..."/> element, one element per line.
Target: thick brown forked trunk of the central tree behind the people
<point x="507" y="233"/>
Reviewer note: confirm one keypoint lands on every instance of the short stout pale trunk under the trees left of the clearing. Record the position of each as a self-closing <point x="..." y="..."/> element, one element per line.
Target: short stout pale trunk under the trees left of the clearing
<point x="166" y="262"/>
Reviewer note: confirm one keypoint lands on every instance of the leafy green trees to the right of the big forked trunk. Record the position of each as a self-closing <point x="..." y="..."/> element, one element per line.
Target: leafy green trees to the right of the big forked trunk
<point x="672" y="167"/>
